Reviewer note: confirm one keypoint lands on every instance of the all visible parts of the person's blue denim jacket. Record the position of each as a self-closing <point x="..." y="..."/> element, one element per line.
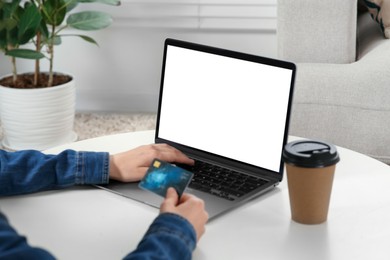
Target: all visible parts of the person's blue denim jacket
<point x="169" y="236"/>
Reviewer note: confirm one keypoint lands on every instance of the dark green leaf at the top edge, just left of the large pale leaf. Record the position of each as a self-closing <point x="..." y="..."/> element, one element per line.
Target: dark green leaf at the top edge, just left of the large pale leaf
<point x="54" y="12"/>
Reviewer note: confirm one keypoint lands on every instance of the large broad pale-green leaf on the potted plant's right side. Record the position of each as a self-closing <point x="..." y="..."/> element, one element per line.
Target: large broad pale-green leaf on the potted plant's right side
<point x="89" y="20"/>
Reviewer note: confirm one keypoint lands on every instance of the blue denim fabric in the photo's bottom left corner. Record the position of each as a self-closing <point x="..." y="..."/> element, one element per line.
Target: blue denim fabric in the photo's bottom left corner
<point x="14" y="246"/>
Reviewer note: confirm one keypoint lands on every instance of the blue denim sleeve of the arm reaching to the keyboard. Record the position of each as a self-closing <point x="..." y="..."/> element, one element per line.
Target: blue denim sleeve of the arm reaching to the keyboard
<point x="31" y="171"/>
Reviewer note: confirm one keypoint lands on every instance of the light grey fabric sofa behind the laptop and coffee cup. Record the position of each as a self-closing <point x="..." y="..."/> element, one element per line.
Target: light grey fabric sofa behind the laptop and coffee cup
<point x="342" y="91"/>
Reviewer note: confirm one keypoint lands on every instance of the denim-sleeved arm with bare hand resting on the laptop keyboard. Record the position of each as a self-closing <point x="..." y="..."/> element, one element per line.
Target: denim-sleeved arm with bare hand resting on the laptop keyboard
<point x="31" y="171"/>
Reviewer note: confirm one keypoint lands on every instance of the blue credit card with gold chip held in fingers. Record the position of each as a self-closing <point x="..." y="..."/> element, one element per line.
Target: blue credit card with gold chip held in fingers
<point x="162" y="175"/>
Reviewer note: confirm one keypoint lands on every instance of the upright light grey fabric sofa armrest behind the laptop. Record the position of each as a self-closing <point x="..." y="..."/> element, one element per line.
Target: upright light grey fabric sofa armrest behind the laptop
<point x="317" y="31"/>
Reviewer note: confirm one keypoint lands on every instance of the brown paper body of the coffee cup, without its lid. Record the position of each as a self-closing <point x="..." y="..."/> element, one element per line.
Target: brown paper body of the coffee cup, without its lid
<point x="309" y="191"/>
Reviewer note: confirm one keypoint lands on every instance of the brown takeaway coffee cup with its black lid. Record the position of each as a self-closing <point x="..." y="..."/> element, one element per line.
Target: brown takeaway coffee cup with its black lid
<point x="310" y="167"/>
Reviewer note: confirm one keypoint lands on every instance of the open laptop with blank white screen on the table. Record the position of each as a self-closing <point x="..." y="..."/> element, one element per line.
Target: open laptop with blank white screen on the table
<point x="229" y="111"/>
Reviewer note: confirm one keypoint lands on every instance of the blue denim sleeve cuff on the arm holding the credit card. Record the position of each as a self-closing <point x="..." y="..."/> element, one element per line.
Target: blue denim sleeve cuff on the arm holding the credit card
<point x="169" y="237"/>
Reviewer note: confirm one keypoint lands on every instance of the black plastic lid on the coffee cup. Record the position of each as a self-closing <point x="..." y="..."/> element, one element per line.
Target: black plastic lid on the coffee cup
<point x="310" y="154"/>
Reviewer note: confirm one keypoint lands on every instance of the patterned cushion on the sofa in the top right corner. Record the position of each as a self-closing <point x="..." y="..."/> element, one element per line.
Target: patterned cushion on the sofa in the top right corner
<point x="380" y="12"/>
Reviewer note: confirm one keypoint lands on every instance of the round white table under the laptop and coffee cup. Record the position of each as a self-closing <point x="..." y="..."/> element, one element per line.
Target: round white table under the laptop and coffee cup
<point x="89" y="223"/>
